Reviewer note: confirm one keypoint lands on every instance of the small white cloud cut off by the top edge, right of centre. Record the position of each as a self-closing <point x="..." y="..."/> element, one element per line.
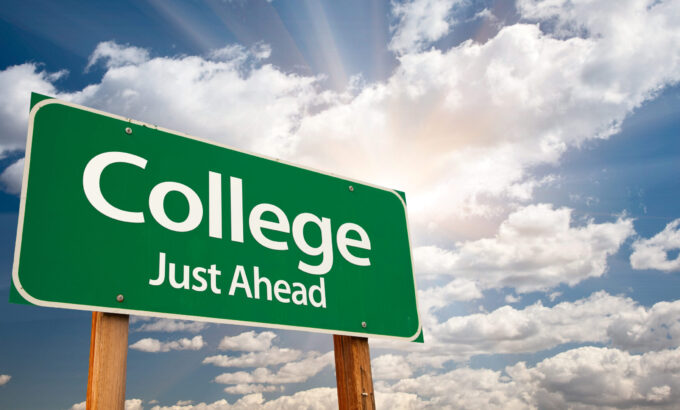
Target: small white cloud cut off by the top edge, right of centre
<point x="420" y="22"/>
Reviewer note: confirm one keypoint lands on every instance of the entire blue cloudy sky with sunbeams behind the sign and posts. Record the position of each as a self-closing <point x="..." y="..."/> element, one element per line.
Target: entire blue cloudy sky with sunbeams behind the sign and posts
<point x="537" y="143"/>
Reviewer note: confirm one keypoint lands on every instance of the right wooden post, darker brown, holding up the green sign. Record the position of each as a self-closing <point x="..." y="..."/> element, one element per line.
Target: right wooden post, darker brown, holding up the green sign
<point x="353" y="373"/>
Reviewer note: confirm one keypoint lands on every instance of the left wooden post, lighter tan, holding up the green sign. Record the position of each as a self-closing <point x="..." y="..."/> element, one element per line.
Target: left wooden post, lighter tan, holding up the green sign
<point x="108" y="362"/>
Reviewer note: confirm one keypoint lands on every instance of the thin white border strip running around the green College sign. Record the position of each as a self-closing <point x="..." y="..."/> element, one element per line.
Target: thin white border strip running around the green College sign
<point x="29" y="298"/>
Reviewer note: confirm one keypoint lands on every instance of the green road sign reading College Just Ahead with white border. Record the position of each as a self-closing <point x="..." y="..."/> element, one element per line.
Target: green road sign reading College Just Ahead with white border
<point x="125" y="217"/>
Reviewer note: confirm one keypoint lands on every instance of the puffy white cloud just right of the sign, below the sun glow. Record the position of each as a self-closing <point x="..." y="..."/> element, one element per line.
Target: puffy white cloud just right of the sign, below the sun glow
<point x="536" y="248"/>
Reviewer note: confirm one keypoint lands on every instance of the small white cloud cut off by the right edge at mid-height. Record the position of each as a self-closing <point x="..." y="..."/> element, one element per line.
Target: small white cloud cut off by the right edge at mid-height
<point x="652" y="253"/>
